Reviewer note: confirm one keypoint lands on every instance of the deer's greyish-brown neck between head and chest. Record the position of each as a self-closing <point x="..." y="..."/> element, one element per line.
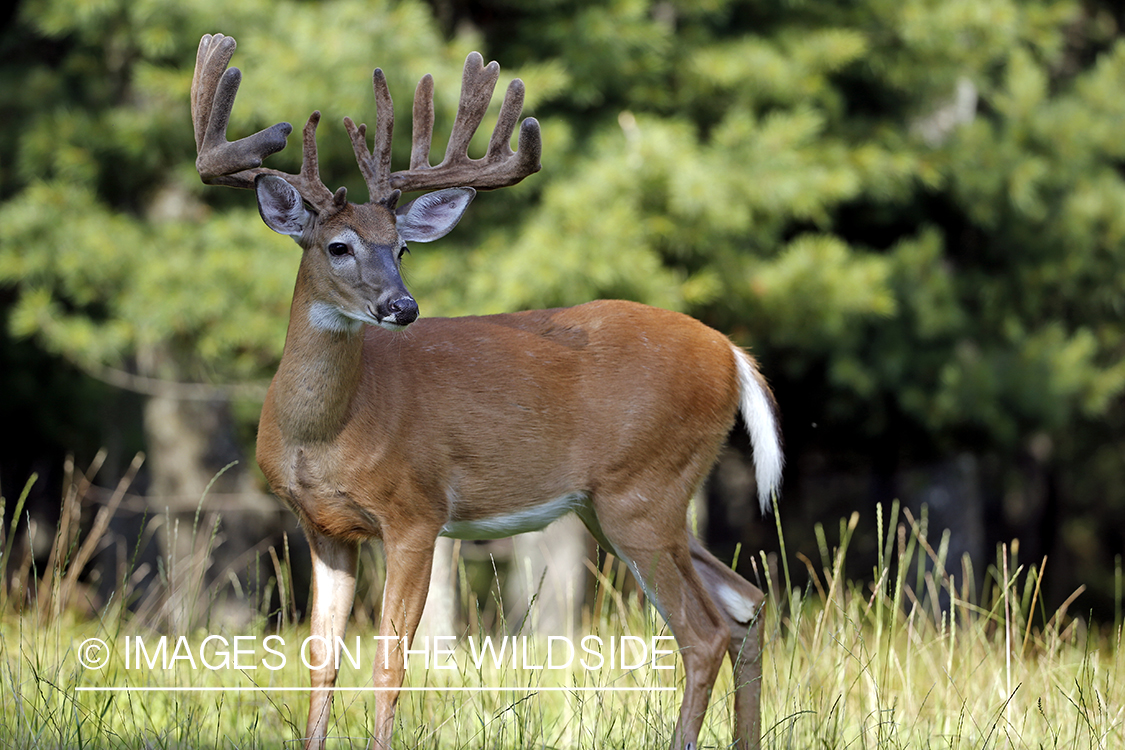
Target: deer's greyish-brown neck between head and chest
<point x="320" y="373"/>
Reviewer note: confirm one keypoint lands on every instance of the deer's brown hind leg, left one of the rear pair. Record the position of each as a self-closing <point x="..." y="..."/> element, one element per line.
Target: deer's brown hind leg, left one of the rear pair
<point x="664" y="566"/>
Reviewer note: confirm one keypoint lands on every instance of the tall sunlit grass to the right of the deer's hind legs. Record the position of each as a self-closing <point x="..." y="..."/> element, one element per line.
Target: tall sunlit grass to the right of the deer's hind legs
<point x="920" y="662"/>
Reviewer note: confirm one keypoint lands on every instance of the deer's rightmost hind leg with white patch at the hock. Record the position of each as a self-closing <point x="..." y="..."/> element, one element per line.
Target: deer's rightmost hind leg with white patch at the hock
<point x="742" y="604"/>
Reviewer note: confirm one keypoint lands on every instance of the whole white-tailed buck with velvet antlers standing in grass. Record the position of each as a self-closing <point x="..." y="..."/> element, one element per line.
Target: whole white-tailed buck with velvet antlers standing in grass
<point x="481" y="428"/>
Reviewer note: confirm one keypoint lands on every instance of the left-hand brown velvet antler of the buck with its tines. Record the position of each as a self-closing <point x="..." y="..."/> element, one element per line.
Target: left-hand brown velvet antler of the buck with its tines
<point x="238" y="164"/>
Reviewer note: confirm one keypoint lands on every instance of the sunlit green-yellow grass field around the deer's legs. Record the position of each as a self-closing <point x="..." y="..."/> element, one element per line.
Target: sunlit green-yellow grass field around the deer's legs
<point x="928" y="657"/>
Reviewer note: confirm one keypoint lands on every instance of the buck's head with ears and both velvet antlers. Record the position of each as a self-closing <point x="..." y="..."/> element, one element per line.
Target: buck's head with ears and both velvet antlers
<point x="353" y="251"/>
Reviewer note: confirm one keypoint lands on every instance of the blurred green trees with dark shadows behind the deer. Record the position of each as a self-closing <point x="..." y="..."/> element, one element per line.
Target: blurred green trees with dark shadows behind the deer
<point x="913" y="212"/>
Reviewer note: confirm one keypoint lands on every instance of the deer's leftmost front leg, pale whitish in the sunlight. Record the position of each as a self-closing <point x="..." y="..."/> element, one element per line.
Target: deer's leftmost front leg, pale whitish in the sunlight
<point x="334" y="592"/>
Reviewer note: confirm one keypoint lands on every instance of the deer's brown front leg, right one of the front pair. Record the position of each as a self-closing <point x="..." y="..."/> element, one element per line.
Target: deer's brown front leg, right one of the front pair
<point x="409" y="563"/>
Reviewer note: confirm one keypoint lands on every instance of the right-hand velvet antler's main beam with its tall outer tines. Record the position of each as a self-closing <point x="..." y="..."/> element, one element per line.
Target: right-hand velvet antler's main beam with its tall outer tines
<point x="501" y="167"/>
